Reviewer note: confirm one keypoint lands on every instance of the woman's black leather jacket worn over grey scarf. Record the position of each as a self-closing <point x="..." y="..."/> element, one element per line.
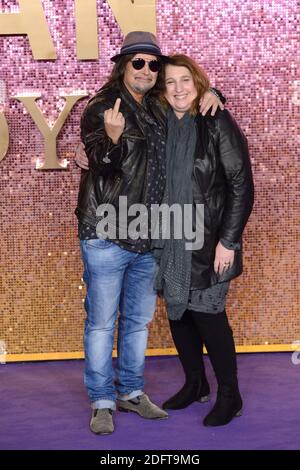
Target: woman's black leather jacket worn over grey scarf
<point x="222" y="181"/>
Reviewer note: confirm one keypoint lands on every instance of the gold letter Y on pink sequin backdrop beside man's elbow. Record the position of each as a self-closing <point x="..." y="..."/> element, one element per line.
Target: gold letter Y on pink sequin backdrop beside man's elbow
<point x="49" y="133"/>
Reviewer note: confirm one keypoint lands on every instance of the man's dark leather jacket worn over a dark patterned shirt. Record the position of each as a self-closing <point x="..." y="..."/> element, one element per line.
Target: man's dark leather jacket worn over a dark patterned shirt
<point x="114" y="170"/>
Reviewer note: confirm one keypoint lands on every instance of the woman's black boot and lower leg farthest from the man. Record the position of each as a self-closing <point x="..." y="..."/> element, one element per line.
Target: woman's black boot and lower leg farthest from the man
<point x="218" y="339"/>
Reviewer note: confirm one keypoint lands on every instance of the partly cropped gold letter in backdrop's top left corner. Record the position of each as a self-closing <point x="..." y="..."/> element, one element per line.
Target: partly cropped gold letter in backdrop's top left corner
<point x="31" y="21"/>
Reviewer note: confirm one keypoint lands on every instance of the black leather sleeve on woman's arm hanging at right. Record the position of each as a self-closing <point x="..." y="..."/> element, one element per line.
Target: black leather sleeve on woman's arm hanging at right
<point x="234" y="156"/>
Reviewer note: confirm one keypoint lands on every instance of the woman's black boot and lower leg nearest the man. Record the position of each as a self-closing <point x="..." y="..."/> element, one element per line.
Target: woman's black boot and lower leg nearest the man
<point x="190" y="352"/>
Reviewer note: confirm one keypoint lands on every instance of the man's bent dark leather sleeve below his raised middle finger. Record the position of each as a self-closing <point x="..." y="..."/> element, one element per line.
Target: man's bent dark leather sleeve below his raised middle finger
<point x="104" y="156"/>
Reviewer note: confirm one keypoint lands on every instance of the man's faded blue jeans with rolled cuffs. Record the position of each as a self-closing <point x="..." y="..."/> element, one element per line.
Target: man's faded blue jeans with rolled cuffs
<point x="116" y="280"/>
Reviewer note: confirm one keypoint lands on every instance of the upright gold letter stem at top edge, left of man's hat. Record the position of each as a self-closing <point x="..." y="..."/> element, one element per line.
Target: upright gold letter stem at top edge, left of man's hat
<point x="86" y="29"/>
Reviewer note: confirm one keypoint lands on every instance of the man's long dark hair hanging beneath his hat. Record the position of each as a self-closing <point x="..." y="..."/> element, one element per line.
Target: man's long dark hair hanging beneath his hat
<point x="117" y="74"/>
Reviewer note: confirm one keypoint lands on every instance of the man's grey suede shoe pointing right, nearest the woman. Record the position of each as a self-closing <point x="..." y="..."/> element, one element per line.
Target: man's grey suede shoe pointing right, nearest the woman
<point x="143" y="406"/>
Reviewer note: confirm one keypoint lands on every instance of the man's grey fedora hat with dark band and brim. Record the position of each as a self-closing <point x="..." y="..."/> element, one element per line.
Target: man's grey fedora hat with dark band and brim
<point x="139" y="41"/>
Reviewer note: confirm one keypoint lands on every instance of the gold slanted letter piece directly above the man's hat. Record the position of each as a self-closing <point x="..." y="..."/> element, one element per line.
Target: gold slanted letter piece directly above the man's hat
<point x="137" y="15"/>
